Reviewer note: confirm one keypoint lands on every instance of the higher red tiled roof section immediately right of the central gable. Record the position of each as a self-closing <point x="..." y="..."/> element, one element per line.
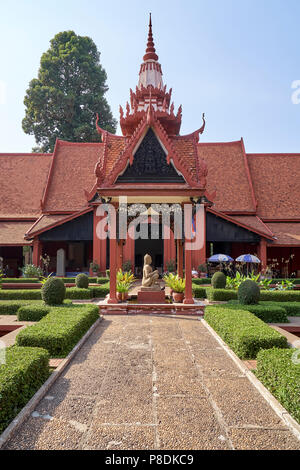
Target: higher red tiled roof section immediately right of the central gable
<point x="229" y="176"/>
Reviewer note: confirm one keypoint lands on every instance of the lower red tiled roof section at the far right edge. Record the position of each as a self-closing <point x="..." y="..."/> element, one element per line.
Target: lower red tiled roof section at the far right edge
<point x="276" y="181"/>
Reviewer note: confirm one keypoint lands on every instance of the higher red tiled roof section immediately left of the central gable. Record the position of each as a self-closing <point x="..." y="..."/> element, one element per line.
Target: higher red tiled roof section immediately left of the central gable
<point x="71" y="174"/>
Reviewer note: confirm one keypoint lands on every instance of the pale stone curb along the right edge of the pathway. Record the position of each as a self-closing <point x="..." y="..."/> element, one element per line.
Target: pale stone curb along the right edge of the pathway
<point x="273" y="402"/>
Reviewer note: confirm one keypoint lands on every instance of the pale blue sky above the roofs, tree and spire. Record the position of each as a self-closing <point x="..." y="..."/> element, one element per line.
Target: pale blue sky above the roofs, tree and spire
<point x="235" y="60"/>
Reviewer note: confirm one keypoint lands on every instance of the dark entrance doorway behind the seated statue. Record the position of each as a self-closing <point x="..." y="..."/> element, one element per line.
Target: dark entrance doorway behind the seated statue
<point x="153" y="247"/>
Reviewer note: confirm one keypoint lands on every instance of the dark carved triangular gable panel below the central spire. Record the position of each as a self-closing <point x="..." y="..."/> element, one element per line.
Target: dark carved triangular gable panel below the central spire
<point x="150" y="164"/>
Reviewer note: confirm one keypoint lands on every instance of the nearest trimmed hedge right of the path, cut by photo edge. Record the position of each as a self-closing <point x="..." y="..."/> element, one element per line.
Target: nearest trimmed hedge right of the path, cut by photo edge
<point x="277" y="371"/>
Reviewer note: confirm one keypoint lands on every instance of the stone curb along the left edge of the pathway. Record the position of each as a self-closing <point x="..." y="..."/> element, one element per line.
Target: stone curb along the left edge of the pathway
<point x="25" y="412"/>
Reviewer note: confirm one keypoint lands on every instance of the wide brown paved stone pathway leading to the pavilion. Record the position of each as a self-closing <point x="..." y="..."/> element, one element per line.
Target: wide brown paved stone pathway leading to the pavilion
<point x="149" y="382"/>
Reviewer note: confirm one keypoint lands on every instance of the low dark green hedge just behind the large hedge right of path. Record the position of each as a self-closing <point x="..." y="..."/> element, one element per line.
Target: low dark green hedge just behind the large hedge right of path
<point x="267" y="313"/>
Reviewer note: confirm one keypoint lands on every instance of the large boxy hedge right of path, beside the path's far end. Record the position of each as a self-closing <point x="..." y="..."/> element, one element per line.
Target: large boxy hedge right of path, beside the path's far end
<point x="244" y="333"/>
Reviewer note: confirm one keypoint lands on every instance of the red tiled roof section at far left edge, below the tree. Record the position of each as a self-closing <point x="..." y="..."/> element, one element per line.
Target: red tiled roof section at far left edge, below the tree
<point x="22" y="181"/>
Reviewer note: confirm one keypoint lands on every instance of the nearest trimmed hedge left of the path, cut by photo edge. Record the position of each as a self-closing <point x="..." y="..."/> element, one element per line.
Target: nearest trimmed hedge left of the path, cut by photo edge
<point x="25" y="371"/>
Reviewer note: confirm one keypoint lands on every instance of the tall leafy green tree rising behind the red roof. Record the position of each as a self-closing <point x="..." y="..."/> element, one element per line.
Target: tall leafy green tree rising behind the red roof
<point x="63" y="101"/>
